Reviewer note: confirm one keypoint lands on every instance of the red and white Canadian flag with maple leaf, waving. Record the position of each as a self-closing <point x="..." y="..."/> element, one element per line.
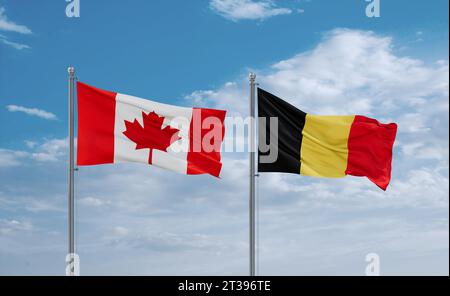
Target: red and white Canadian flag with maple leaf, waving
<point x="114" y="128"/>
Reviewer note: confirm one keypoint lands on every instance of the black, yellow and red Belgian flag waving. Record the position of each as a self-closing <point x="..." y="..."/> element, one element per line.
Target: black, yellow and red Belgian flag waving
<point x="326" y="146"/>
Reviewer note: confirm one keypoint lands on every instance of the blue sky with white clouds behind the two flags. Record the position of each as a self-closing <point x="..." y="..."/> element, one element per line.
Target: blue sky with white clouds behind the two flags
<point x="325" y="58"/>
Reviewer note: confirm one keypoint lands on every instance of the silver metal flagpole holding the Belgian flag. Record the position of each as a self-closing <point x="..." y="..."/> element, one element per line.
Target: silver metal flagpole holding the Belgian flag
<point x="252" y="203"/>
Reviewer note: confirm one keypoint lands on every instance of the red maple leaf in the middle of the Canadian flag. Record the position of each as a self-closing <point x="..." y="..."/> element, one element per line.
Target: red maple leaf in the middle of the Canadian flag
<point x="151" y="135"/>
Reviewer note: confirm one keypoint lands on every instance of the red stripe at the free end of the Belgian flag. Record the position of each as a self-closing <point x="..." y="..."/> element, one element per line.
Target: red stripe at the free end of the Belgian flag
<point x="370" y="150"/>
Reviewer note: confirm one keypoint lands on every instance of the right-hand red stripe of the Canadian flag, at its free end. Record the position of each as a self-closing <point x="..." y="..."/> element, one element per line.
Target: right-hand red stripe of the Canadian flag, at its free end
<point x="200" y="160"/>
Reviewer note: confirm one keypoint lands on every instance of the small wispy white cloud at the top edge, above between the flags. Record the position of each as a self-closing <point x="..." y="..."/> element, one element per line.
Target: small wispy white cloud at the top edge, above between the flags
<point x="236" y="10"/>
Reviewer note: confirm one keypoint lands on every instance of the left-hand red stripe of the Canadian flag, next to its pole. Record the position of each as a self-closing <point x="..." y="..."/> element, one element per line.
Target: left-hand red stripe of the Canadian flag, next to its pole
<point x="96" y="115"/>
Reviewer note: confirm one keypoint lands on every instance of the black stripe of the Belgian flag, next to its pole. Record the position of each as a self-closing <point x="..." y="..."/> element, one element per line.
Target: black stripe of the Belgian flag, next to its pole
<point x="290" y="125"/>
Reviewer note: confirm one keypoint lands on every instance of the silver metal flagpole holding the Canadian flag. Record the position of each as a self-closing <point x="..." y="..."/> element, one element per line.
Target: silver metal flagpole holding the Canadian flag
<point x="71" y="203"/>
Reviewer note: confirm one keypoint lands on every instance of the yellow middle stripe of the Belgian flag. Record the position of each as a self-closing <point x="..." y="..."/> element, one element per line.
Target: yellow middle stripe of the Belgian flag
<point x="324" y="149"/>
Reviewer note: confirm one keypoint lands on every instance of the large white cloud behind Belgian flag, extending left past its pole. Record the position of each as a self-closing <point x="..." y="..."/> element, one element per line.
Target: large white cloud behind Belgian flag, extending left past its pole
<point x="349" y="72"/>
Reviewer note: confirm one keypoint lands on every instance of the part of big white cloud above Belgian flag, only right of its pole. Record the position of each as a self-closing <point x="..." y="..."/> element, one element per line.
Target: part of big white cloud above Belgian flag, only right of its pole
<point x="355" y="72"/>
